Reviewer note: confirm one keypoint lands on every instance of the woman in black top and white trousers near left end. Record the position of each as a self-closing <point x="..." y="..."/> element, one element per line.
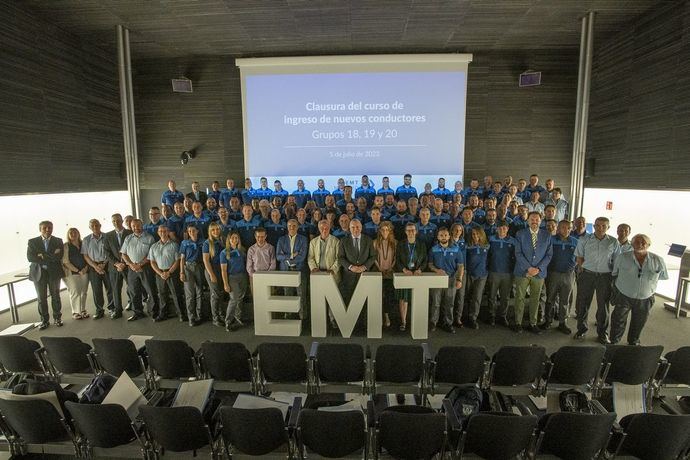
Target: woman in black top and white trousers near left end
<point x="76" y="274"/>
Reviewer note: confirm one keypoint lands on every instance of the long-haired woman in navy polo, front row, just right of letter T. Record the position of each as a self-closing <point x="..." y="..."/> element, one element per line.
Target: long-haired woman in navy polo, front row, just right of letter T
<point x="476" y="264"/>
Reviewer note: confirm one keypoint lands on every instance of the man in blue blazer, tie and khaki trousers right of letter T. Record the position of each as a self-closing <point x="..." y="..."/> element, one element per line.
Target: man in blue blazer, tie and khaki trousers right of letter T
<point x="533" y="252"/>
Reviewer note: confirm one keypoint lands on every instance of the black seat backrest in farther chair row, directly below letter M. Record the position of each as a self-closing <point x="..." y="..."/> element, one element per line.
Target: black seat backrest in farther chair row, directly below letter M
<point x="340" y="362"/>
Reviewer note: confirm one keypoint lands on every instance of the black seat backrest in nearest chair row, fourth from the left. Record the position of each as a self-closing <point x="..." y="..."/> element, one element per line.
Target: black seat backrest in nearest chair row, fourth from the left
<point x="253" y="431"/>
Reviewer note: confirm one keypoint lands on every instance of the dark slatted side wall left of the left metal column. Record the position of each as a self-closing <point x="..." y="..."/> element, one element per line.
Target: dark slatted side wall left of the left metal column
<point x="60" y="119"/>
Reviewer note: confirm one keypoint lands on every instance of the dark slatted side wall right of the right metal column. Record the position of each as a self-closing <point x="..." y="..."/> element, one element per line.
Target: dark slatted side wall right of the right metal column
<point x="639" y="125"/>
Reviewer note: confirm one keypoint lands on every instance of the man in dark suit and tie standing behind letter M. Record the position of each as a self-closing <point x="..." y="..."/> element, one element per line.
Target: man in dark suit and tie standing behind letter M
<point x="356" y="255"/>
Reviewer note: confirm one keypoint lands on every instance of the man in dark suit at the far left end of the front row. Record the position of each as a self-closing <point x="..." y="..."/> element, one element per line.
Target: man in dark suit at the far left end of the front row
<point x="45" y="254"/>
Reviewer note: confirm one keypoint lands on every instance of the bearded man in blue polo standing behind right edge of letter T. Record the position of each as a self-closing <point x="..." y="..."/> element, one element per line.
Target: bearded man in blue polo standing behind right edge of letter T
<point x="445" y="259"/>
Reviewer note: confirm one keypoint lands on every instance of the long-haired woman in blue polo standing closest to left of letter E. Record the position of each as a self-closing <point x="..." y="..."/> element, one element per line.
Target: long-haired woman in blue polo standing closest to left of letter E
<point x="233" y="266"/>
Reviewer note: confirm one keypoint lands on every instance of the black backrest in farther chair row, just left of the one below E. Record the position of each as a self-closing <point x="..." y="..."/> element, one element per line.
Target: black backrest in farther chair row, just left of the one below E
<point x="227" y="361"/>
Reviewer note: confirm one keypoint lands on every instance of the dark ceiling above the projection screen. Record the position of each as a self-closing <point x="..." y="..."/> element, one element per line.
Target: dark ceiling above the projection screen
<point x="166" y="28"/>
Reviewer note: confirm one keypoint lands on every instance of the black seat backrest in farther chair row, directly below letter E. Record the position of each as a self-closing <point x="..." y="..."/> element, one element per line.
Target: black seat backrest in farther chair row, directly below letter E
<point x="283" y="362"/>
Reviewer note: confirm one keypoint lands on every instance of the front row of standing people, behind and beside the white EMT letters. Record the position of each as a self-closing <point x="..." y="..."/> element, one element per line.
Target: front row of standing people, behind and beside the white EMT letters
<point x="540" y="265"/>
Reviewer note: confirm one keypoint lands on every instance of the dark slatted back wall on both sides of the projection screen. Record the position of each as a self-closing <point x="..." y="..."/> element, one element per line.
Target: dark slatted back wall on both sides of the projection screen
<point x="510" y="130"/>
